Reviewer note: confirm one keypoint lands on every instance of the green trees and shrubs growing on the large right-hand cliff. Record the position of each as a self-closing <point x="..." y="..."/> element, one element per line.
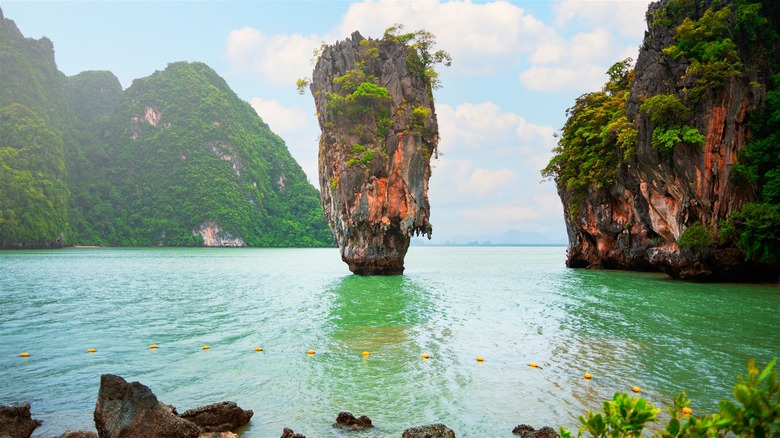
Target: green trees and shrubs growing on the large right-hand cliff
<point x="715" y="43"/>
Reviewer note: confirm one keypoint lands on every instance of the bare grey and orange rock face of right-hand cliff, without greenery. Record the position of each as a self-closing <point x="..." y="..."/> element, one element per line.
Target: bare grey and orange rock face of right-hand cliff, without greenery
<point x="637" y="222"/>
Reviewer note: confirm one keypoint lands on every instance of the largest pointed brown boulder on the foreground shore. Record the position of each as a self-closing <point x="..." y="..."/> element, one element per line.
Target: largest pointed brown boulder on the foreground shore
<point x="125" y="410"/>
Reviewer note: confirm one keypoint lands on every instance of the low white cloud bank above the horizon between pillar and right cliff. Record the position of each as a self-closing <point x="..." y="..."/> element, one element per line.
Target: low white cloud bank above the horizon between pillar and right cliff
<point x="488" y="176"/>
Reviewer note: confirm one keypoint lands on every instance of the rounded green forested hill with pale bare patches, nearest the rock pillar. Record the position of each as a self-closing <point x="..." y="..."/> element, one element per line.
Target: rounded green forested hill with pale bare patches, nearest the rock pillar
<point x="181" y="151"/>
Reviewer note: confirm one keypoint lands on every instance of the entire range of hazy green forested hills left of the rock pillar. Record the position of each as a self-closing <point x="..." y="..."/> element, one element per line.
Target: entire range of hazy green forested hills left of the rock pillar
<point x="174" y="154"/>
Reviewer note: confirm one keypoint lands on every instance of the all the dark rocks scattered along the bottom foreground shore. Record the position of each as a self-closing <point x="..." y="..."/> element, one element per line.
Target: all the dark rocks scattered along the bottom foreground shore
<point x="126" y="410"/>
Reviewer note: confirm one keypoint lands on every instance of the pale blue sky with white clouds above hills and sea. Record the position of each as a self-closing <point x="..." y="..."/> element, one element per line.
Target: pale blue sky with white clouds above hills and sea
<point x="516" y="67"/>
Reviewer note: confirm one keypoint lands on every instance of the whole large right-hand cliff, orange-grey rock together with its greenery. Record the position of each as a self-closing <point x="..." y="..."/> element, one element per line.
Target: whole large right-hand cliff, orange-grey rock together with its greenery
<point x="664" y="169"/>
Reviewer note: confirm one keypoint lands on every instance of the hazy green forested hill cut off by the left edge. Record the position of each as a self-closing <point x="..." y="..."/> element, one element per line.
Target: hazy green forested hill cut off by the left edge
<point x="35" y="125"/>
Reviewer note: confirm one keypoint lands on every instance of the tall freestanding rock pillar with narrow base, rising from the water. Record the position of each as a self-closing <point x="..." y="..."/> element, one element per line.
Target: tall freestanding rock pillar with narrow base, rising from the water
<point x="379" y="131"/>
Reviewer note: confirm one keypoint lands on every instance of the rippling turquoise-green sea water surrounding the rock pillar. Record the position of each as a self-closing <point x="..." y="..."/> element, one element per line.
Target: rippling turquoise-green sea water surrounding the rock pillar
<point x="510" y="305"/>
